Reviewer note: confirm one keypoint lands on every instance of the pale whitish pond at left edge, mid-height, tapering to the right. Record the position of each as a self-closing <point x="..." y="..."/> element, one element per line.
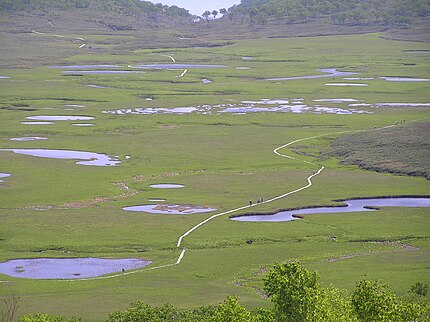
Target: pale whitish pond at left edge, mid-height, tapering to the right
<point x="90" y="158"/>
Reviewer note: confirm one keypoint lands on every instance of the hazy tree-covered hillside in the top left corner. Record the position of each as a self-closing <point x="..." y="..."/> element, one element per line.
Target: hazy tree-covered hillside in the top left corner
<point x="116" y="15"/>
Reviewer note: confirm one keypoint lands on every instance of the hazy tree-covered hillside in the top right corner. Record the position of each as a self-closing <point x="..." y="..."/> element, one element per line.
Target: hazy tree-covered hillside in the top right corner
<point x="338" y="12"/>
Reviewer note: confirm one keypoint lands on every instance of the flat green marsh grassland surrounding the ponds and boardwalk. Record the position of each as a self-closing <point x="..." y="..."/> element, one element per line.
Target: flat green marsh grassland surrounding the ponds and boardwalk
<point x="224" y="160"/>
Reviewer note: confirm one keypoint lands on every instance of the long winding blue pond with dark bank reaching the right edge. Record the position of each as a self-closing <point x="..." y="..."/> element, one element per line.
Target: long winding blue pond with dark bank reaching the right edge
<point x="354" y="205"/>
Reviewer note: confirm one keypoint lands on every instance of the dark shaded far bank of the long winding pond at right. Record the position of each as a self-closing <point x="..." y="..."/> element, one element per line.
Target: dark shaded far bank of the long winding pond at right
<point x="328" y="206"/>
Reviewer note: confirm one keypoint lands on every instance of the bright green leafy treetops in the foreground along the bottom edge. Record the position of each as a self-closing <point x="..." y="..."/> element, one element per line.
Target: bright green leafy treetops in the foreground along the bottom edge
<point x="297" y="296"/>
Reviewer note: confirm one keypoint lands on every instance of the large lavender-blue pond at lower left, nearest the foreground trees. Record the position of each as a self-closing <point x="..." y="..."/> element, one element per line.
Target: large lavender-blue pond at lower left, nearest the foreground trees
<point x="68" y="268"/>
